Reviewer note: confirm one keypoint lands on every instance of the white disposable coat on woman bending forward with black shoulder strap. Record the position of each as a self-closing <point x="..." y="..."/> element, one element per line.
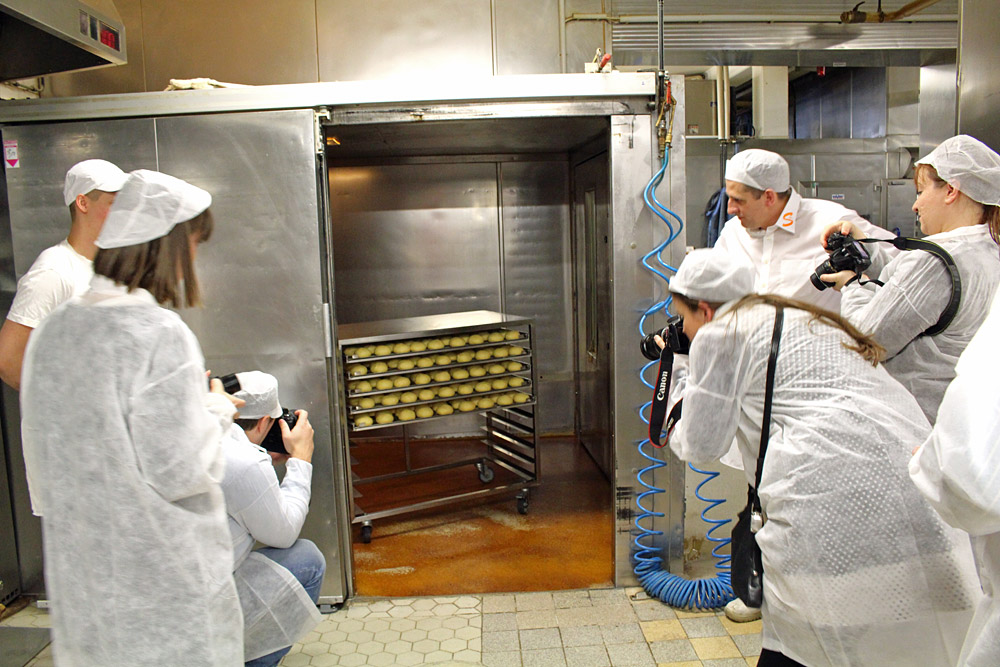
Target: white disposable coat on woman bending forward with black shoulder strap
<point x="858" y="568"/>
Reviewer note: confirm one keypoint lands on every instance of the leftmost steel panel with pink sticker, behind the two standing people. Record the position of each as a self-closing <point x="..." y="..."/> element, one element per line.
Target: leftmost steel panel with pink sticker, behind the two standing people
<point x="38" y="219"/>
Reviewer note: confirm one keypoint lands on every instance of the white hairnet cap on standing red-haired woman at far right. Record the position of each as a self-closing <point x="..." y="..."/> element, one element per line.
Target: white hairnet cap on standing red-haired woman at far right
<point x="968" y="165"/>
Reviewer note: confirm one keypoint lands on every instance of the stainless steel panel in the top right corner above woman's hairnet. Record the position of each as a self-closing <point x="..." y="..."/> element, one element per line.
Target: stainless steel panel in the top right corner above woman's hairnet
<point x="978" y="74"/>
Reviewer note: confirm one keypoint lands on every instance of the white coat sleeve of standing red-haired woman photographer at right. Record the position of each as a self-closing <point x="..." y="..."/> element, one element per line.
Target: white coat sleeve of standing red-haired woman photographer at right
<point x="916" y="290"/>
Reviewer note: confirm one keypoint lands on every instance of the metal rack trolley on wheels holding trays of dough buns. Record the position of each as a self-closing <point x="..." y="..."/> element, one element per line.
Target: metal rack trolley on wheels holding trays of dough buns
<point x="496" y="378"/>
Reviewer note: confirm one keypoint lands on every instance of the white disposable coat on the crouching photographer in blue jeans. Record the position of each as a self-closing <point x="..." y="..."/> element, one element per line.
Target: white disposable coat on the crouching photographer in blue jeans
<point x="277" y="611"/>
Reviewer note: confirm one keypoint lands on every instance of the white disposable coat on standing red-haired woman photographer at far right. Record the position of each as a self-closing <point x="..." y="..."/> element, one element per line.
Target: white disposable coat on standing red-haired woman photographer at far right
<point x="916" y="291"/>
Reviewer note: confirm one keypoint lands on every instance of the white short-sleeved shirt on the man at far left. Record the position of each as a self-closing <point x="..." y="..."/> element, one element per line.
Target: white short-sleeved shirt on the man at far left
<point x="59" y="273"/>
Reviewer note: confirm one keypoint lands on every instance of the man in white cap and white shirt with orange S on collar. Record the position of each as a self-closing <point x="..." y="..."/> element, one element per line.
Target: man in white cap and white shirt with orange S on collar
<point x="778" y="230"/>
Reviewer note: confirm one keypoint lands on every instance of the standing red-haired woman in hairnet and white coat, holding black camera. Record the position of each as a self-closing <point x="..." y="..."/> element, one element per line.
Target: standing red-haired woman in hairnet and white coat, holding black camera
<point x="958" y="192"/>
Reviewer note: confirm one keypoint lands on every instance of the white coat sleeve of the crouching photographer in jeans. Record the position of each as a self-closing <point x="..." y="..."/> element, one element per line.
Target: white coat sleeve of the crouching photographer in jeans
<point x="276" y="514"/>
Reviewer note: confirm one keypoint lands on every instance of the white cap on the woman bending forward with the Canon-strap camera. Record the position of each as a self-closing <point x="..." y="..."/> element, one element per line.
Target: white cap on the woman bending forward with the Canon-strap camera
<point x="712" y="275"/>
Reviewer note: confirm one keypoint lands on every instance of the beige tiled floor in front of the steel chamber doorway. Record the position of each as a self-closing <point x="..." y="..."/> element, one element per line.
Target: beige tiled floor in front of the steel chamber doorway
<point x="584" y="628"/>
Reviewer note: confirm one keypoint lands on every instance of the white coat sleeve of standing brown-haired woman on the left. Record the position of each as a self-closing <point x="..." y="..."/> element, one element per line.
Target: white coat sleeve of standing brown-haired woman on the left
<point x="175" y="440"/>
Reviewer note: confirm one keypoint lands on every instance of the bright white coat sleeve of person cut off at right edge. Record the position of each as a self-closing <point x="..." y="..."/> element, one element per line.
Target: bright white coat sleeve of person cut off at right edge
<point x="958" y="468"/>
